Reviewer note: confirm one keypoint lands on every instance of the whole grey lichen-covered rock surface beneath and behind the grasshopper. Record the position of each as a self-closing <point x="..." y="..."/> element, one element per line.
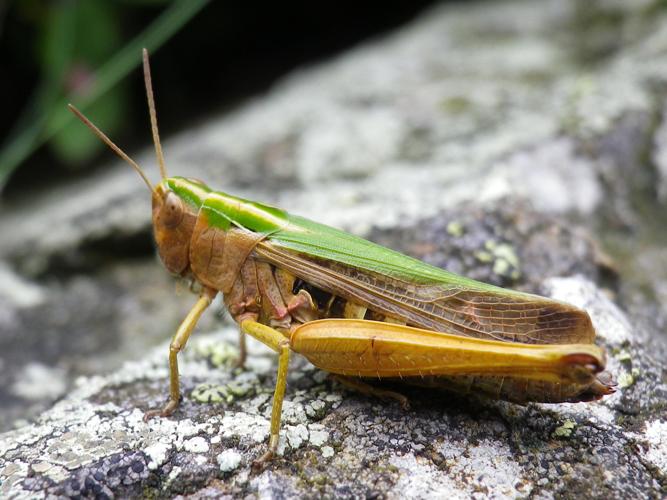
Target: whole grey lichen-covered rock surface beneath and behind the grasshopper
<point x="511" y="142"/>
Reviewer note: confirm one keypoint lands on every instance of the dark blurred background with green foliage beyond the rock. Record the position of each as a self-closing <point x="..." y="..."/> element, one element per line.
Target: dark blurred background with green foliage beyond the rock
<point x="205" y="55"/>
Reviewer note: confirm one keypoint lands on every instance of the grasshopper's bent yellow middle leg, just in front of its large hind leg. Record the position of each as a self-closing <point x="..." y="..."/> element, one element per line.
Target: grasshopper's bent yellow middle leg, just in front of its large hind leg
<point x="276" y="341"/>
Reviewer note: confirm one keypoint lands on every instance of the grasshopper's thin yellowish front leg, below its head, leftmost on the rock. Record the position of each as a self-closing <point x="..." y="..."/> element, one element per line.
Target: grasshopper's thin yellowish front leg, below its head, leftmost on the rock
<point x="177" y="344"/>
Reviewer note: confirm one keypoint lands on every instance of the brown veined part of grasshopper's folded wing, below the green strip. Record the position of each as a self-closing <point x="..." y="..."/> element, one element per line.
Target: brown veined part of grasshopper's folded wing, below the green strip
<point x="444" y="307"/>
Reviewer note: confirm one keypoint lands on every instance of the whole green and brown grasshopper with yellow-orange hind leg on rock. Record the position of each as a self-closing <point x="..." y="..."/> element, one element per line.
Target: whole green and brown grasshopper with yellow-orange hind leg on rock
<point x="356" y="309"/>
